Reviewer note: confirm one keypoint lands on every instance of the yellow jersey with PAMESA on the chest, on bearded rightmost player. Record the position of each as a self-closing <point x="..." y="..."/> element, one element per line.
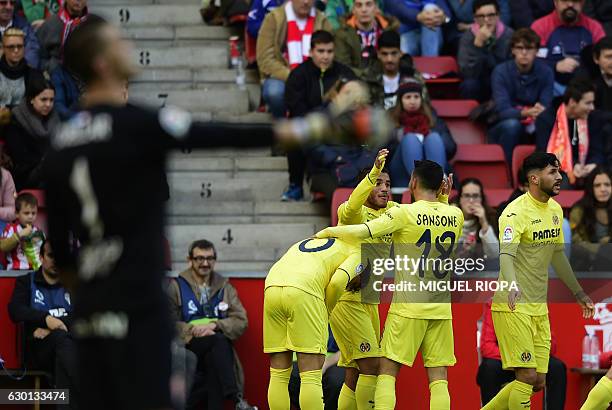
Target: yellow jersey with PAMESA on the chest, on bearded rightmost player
<point x="530" y="231"/>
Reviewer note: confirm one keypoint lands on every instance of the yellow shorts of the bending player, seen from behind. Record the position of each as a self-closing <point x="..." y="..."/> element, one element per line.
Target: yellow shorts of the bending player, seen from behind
<point x="294" y="320"/>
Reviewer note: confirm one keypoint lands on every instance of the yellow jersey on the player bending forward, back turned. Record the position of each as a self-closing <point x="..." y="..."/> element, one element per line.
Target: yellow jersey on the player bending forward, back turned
<point x="310" y="264"/>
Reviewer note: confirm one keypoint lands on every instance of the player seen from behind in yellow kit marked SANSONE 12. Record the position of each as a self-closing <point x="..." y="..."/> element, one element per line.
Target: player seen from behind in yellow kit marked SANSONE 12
<point x="422" y="323"/>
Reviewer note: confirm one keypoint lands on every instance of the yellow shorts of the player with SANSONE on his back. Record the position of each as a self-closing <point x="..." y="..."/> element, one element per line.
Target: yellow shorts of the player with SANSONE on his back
<point x="403" y="338"/>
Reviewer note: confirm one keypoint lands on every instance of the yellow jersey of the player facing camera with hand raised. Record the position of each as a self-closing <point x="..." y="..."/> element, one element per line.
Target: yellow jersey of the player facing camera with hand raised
<point x="354" y="212"/>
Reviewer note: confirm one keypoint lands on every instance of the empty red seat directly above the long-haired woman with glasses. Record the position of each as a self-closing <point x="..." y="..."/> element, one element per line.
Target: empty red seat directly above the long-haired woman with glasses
<point x="482" y="161"/>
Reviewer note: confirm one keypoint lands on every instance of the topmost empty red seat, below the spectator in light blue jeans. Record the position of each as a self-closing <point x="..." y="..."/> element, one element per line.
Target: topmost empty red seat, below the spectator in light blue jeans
<point x="438" y="73"/>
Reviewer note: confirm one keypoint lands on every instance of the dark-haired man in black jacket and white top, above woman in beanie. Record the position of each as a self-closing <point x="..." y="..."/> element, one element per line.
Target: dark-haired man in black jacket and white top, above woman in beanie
<point x="384" y="76"/>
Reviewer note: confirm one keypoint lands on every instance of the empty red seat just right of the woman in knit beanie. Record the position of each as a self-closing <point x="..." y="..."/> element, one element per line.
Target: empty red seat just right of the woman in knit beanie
<point x="455" y="113"/>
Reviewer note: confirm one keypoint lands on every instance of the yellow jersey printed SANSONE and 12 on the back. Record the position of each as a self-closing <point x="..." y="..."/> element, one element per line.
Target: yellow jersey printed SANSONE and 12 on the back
<point x="422" y="231"/>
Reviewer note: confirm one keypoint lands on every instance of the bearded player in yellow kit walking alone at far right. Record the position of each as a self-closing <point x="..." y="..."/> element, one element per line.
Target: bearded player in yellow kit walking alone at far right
<point x="531" y="239"/>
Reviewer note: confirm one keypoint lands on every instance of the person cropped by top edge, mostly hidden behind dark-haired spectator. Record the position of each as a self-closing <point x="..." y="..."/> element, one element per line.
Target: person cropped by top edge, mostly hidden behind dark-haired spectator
<point x="463" y="19"/>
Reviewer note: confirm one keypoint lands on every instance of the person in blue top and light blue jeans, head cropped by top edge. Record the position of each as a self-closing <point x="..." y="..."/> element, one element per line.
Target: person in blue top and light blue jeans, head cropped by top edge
<point x="421" y="27"/>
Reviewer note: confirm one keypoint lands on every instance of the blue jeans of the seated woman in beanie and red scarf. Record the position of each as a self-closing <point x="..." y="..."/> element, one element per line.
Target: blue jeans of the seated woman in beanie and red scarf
<point x="411" y="149"/>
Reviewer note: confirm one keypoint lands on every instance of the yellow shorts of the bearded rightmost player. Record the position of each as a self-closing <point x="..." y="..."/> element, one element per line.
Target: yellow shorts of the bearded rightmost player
<point x="524" y="340"/>
